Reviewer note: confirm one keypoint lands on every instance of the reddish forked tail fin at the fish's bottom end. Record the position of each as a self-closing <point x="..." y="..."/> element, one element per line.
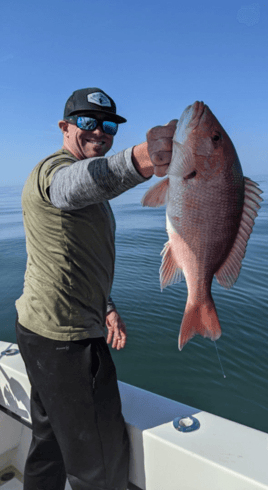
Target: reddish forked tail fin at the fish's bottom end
<point x="199" y="319"/>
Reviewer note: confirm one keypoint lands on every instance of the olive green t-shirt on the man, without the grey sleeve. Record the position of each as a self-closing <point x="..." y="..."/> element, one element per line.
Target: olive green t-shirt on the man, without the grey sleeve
<point x="70" y="261"/>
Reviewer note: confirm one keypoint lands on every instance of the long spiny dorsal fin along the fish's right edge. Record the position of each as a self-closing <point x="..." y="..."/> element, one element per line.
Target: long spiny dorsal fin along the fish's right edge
<point x="229" y="271"/>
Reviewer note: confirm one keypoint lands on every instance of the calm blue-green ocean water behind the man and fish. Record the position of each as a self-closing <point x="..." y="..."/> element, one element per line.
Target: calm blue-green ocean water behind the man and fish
<point x="151" y="359"/>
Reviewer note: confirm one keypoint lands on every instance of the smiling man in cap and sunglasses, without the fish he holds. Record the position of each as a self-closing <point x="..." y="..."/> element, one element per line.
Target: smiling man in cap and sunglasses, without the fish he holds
<point x="78" y="427"/>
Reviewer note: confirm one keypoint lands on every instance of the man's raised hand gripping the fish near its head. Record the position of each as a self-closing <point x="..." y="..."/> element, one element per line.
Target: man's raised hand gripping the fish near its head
<point x="159" y="141"/>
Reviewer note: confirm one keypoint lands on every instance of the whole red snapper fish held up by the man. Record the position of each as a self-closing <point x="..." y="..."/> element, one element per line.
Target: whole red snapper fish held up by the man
<point x="210" y="212"/>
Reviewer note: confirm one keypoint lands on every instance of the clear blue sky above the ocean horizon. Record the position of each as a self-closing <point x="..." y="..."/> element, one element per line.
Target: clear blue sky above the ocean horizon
<point x="153" y="57"/>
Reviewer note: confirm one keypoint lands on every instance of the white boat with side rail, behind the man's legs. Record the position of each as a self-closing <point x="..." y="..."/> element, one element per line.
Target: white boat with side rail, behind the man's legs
<point x="173" y="446"/>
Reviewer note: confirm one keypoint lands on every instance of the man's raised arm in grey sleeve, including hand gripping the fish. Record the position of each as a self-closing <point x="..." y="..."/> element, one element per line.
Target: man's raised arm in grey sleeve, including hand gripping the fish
<point x="94" y="180"/>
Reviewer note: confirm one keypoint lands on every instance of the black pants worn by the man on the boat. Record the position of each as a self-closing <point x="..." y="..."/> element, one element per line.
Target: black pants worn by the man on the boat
<point x="78" y="427"/>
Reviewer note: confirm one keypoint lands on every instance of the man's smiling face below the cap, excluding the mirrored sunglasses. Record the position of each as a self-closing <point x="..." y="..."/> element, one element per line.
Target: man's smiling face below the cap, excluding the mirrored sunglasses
<point x="86" y="144"/>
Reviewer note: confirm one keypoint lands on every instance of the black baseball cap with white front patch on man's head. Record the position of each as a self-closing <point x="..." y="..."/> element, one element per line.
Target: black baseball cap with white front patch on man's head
<point x="91" y="100"/>
